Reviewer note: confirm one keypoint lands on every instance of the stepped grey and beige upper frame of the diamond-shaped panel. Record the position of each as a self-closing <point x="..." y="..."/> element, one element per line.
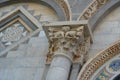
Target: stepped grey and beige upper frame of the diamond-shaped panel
<point x="25" y="17"/>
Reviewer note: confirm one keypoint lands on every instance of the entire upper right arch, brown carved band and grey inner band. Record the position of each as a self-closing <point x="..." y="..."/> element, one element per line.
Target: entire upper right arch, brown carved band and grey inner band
<point x="97" y="11"/>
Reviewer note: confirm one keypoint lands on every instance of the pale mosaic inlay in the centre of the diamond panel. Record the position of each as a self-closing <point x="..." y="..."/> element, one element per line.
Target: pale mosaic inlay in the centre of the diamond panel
<point x="12" y="34"/>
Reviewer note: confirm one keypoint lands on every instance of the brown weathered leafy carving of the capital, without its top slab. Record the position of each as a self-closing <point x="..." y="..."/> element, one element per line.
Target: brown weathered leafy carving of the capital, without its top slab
<point x="68" y="40"/>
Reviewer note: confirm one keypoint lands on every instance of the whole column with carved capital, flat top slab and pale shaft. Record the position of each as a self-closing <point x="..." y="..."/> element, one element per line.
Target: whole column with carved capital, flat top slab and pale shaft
<point x="69" y="43"/>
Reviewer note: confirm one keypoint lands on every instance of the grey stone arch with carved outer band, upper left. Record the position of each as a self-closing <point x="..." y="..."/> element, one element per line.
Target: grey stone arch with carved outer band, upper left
<point x="61" y="7"/>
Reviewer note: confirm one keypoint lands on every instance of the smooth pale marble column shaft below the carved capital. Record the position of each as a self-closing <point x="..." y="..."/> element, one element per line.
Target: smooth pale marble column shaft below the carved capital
<point x="60" y="68"/>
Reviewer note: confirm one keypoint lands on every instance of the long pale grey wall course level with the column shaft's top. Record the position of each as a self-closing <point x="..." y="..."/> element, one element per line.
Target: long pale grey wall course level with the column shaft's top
<point x="26" y="62"/>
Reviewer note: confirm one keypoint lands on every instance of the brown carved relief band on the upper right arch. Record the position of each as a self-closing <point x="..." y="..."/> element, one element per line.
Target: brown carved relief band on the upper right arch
<point x="92" y="9"/>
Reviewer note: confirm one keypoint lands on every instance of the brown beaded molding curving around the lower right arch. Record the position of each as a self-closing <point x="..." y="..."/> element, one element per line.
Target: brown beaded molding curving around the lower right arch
<point x="92" y="65"/>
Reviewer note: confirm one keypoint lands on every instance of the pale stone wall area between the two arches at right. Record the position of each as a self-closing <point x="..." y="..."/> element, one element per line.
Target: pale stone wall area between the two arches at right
<point x="106" y="33"/>
